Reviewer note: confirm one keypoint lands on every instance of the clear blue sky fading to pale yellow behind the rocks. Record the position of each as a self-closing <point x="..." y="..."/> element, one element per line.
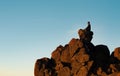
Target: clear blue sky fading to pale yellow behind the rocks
<point x="32" y="29"/>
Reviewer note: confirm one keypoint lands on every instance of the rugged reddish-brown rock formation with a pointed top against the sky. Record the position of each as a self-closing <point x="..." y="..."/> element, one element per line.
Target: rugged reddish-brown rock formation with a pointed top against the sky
<point x="80" y="58"/>
